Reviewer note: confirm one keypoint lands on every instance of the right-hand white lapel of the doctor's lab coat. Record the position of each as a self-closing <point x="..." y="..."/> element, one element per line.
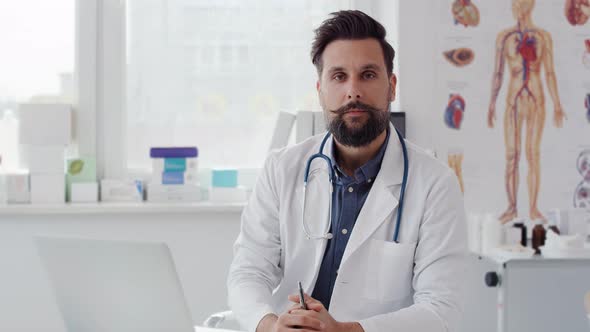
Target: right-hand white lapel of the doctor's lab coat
<point x="381" y="200"/>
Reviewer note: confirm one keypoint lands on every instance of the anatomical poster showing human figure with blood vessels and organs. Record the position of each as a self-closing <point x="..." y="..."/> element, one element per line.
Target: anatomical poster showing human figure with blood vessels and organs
<point x="513" y="99"/>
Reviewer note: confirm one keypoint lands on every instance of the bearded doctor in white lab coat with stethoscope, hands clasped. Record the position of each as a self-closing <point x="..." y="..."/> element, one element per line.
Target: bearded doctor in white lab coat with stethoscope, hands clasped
<point x="362" y="269"/>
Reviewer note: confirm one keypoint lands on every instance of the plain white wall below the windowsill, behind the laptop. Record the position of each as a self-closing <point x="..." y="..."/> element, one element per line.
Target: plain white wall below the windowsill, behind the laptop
<point x="200" y="241"/>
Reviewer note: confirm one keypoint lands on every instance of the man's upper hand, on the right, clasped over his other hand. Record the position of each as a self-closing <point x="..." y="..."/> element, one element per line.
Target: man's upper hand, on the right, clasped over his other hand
<point x="317" y="311"/>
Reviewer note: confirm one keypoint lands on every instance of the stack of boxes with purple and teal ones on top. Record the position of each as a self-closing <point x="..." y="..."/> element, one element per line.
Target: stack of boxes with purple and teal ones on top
<point x="174" y="175"/>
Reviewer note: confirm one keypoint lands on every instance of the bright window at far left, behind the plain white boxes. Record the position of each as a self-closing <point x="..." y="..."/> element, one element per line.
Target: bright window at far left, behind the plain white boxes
<point x="37" y="62"/>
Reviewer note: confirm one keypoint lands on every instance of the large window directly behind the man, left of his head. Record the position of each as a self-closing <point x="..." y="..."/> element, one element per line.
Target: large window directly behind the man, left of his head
<point x="215" y="74"/>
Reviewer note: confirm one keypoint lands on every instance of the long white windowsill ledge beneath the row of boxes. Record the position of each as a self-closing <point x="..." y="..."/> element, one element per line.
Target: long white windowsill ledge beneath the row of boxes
<point x="123" y="207"/>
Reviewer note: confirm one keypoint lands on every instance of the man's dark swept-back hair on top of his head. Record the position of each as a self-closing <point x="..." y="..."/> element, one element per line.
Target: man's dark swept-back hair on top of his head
<point x="350" y="25"/>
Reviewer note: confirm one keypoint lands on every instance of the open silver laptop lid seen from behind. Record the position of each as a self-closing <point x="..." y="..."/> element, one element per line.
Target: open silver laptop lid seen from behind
<point x="115" y="286"/>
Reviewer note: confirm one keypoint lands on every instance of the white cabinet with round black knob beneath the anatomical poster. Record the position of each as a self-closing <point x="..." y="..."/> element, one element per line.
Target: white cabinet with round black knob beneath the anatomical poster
<point x="533" y="294"/>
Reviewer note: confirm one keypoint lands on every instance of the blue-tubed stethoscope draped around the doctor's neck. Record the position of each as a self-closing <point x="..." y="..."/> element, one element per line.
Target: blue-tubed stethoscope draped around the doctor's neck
<point x="326" y="234"/>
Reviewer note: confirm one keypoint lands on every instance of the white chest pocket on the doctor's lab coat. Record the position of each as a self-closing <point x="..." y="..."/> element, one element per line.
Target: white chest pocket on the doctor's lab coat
<point x="389" y="270"/>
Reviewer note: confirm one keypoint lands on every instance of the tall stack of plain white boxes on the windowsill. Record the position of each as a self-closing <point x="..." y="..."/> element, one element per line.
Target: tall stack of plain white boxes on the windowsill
<point x="45" y="131"/>
